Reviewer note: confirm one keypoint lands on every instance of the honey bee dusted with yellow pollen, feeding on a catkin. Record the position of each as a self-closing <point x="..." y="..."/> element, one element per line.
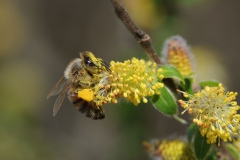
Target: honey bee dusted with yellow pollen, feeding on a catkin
<point x="81" y="73"/>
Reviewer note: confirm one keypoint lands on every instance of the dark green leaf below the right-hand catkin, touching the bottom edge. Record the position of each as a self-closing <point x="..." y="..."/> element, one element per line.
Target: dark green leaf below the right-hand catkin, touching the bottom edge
<point x="201" y="147"/>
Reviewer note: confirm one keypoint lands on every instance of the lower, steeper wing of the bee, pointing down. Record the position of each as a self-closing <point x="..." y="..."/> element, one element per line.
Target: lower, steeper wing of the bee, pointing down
<point x="61" y="98"/>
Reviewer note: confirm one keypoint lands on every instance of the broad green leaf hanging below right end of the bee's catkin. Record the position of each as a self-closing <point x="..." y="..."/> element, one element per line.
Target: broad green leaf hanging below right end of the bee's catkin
<point x="165" y="102"/>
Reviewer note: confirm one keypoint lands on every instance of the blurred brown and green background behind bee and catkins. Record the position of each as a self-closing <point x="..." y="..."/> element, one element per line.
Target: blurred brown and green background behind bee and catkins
<point x="39" y="37"/>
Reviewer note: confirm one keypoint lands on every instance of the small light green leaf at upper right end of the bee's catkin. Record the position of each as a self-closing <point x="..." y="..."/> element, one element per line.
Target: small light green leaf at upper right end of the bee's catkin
<point x="171" y="72"/>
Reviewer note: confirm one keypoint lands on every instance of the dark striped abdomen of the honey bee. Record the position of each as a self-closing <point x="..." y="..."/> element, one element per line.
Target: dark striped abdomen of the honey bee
<point x="89" y="108"/>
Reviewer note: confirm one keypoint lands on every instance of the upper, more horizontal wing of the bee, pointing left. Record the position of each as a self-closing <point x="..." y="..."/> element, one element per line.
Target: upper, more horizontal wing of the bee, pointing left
<point x="58" y="87"/>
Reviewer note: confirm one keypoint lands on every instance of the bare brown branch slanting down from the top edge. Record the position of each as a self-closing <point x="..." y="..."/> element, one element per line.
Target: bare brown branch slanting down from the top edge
<point x="142" y="38"/>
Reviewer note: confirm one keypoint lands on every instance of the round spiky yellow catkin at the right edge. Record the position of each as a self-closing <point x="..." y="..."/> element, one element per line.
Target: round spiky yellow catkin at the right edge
<point x="215" y="112"/>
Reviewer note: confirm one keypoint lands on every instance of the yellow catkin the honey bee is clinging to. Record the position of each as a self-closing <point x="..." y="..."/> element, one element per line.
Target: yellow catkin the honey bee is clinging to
<point x="132" y="79"/>
